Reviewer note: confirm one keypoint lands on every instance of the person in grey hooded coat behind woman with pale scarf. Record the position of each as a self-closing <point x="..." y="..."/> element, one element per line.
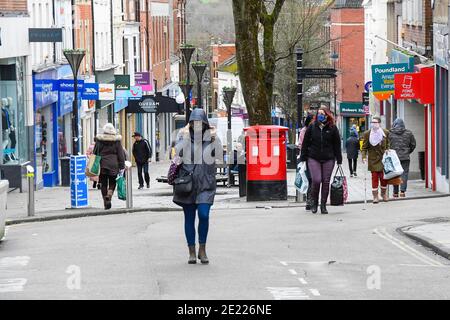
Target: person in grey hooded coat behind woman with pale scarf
<point x="403" y="142"/>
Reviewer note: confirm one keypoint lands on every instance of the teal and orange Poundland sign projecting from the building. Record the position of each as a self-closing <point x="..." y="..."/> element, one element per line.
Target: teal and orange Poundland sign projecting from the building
<point x="383" y="75"/>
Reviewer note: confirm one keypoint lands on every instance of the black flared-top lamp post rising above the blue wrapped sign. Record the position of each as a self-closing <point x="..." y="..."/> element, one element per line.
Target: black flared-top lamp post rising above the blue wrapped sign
<point x="74" y="57"/>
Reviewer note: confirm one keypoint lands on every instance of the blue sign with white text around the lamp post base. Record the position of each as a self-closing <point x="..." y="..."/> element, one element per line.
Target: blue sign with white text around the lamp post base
<point x="78" y="182"/>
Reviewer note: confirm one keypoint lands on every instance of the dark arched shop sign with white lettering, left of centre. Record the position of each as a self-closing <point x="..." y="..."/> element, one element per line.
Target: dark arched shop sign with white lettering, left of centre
<point x="153" y="104"/>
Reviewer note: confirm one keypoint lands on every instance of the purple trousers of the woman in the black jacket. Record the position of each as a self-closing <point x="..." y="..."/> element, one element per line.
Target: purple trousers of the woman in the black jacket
<point x="320" y="175"/>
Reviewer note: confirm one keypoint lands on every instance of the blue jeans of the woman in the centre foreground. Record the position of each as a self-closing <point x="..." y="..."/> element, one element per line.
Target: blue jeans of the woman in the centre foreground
<point x="189" y="222"/>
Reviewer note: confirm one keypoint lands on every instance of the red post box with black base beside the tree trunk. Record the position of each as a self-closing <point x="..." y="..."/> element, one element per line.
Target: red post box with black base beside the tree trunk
<point x="266" y="163"/>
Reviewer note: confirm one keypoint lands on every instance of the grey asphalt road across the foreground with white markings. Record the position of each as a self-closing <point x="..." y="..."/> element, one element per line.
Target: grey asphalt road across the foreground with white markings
<point x="355" y="252"/>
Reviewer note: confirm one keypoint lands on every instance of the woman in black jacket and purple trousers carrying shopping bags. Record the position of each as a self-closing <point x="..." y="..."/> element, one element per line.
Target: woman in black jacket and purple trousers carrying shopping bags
<point x="321" y="148"/>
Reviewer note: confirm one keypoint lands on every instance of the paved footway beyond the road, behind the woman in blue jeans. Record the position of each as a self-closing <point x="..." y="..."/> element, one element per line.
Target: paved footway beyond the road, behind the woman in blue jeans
<point x="54" y="203"/>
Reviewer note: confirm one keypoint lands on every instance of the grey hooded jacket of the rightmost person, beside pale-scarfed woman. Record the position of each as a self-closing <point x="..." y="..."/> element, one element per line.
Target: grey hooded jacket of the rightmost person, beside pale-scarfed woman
<point x="402" y="140"/>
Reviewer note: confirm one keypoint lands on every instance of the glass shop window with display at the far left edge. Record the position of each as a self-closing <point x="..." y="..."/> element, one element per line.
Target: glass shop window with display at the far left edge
<point x="15" y="150"/>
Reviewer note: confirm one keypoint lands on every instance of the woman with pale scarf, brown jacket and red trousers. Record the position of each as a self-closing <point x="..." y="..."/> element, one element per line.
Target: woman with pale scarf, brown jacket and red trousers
<point x="375" y="144"/>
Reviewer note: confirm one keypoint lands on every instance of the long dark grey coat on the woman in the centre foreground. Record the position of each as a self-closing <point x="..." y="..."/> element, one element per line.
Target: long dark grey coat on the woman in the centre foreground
<point x="204" y="173"/>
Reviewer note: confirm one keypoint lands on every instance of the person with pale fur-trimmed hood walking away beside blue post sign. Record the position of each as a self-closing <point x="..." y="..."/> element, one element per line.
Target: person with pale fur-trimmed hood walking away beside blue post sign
<point x="109" y="148"/>
